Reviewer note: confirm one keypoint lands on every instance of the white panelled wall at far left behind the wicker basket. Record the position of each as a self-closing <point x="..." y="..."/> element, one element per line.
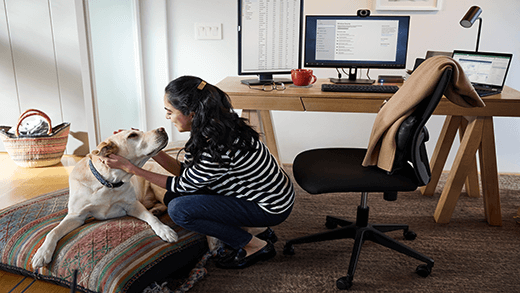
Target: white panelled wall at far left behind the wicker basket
<point x="40" y="66"/>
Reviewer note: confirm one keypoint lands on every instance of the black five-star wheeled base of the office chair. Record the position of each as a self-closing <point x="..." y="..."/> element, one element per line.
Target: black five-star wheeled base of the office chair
<point x="361" y="231"/>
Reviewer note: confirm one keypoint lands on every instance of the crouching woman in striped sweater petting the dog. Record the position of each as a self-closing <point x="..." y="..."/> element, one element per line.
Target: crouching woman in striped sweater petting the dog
<point x="228" y="179"/>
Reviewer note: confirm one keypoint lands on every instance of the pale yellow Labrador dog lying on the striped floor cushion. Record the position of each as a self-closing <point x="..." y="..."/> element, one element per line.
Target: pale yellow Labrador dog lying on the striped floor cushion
<point x="87" y="196"/>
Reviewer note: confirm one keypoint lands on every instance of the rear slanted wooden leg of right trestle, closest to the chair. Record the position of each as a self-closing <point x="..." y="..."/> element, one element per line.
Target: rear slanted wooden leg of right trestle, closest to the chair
<point x="442" y="149"/>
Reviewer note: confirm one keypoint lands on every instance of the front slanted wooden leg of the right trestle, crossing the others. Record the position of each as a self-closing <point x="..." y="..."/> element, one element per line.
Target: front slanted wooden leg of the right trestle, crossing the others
<point x="463" y="160"/>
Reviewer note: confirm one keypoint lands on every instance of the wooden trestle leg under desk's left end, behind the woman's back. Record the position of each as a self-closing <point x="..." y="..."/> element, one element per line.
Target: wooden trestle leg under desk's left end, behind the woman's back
<point x="262" y="122"/>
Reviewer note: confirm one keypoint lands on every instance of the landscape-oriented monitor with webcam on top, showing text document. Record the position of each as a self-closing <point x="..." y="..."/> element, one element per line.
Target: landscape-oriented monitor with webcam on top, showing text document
<point x="339" y="41"/>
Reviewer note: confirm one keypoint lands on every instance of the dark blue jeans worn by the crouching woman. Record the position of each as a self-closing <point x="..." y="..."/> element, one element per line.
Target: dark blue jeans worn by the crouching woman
<point x="221" y="216"/>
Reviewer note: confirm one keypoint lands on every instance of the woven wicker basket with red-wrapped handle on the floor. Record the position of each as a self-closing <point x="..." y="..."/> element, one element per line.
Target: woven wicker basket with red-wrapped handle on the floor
<point x="36" y="151"/>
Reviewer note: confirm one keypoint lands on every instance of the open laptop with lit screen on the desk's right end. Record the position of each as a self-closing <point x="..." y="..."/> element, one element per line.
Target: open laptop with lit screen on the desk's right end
<point x="486" y="71"/>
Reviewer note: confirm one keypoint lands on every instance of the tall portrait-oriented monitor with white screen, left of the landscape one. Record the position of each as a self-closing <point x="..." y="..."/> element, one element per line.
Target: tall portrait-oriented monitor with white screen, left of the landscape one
<point x="269" y="39"/>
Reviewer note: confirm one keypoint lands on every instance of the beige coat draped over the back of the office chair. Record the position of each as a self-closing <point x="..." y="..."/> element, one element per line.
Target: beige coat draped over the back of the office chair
<point x="420" y="85"/>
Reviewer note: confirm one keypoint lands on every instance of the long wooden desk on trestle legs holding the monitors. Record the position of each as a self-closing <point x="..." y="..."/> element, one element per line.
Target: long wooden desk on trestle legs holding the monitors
<point x="474" y="124"/>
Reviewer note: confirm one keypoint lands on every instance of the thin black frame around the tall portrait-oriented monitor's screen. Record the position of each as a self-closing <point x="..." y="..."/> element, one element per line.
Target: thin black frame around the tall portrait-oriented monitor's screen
<point x="268" y="72"/>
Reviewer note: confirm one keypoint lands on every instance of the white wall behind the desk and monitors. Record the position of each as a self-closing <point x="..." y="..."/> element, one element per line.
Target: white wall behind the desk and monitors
<point x="213" y="60"/>
